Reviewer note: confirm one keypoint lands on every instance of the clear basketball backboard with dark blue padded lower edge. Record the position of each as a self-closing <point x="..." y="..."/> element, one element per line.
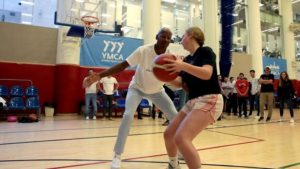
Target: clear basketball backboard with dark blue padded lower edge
<point x="70" y="12"/>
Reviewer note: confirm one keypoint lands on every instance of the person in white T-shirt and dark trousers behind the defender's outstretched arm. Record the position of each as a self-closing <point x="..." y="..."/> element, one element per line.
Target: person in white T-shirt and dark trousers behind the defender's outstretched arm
<point x="110" y="85"/>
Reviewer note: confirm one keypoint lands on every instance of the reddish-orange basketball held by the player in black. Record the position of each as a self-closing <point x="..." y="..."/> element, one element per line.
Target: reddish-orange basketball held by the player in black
<point x="159" y="71"/>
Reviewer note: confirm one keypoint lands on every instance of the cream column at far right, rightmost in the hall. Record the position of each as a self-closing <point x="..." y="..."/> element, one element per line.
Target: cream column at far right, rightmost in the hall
<point x="288" y="36"/>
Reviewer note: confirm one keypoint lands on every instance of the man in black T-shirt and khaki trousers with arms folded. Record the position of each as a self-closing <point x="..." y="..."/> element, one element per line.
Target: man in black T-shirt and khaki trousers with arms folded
<point x="266" y="93"/>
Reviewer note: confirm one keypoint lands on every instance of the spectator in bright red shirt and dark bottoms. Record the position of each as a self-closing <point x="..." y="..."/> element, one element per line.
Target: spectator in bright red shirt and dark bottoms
<point x="242" y="87"/>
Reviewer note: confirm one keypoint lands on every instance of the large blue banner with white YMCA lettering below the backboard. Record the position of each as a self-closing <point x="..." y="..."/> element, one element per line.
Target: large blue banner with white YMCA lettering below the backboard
<point x="106" y="50"/>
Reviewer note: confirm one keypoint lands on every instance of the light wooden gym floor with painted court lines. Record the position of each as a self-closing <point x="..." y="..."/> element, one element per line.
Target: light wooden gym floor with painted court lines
<point x="72" y="142"/>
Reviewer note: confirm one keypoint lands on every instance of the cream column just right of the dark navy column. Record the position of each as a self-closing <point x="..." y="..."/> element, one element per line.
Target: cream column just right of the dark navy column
<point x="255" y="41"/>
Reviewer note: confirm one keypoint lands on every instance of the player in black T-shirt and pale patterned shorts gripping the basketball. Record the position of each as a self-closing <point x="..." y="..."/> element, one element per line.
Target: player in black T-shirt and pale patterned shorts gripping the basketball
<point x="199" y="77"/>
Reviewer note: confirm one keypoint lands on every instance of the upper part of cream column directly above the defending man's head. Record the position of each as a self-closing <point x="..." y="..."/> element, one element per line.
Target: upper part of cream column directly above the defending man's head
<point x="151" y="22"/>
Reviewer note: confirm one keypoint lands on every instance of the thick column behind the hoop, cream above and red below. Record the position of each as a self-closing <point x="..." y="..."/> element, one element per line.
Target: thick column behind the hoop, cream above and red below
<point x="67" y="71"/>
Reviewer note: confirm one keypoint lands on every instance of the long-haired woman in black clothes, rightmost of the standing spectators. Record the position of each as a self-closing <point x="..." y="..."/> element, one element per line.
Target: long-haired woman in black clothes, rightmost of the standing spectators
<point x="285" y="93"/>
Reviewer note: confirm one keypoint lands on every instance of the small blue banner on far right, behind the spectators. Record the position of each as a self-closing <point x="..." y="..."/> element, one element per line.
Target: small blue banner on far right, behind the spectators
<point x="276" y="65"/>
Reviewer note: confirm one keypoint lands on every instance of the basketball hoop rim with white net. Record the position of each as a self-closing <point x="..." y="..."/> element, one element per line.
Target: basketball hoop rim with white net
<point x="89" y="25"/>
